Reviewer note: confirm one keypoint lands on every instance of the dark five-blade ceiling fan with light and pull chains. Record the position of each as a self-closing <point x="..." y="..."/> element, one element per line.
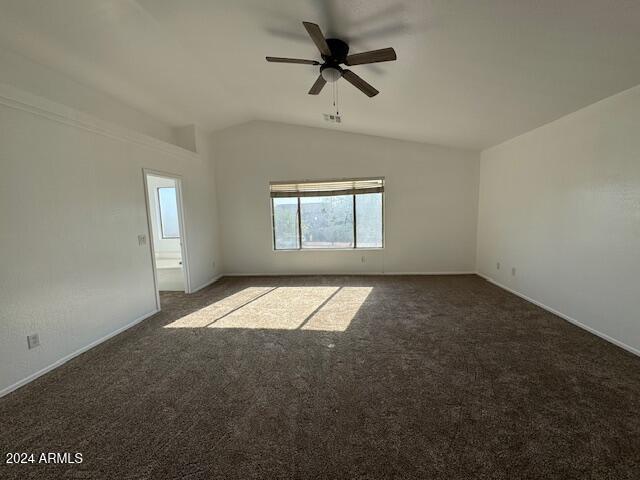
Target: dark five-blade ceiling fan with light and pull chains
<point x="335" y="52"/>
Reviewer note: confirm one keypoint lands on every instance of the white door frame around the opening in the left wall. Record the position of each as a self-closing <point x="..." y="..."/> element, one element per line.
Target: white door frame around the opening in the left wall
<point x="181" y="224"/>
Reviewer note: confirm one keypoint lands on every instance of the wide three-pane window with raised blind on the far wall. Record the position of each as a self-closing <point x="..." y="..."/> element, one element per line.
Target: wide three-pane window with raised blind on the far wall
<point x="325" y="215"/>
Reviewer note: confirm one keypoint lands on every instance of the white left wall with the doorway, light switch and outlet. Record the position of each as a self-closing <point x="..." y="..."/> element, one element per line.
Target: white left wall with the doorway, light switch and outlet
<point x="71" y="208"/>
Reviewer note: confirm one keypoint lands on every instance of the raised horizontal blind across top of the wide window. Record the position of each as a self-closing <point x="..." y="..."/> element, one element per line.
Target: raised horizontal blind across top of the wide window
<point x="326" y="189"/>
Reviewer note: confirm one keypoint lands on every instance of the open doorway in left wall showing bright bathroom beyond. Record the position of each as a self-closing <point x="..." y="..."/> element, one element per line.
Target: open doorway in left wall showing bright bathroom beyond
<point x="166" y="228"/>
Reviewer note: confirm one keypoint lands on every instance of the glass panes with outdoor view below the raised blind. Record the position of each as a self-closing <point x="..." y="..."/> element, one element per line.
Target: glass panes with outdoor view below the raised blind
<point x="328" y="221"/>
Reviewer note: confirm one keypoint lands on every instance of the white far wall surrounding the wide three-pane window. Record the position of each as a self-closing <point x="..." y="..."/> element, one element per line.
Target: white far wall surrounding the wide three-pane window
<point x="430" y="198"/>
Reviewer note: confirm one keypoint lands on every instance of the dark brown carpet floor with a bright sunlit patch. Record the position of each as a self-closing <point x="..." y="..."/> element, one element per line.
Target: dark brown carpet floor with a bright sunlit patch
<point x="340" y="378"/>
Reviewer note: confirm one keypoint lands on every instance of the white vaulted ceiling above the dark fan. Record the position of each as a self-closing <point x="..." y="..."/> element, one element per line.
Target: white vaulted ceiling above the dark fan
<point x="469" y="73"/>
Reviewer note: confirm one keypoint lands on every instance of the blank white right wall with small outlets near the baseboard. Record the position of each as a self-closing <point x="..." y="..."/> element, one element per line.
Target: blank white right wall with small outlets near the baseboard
<point x="561" y="204"/>
